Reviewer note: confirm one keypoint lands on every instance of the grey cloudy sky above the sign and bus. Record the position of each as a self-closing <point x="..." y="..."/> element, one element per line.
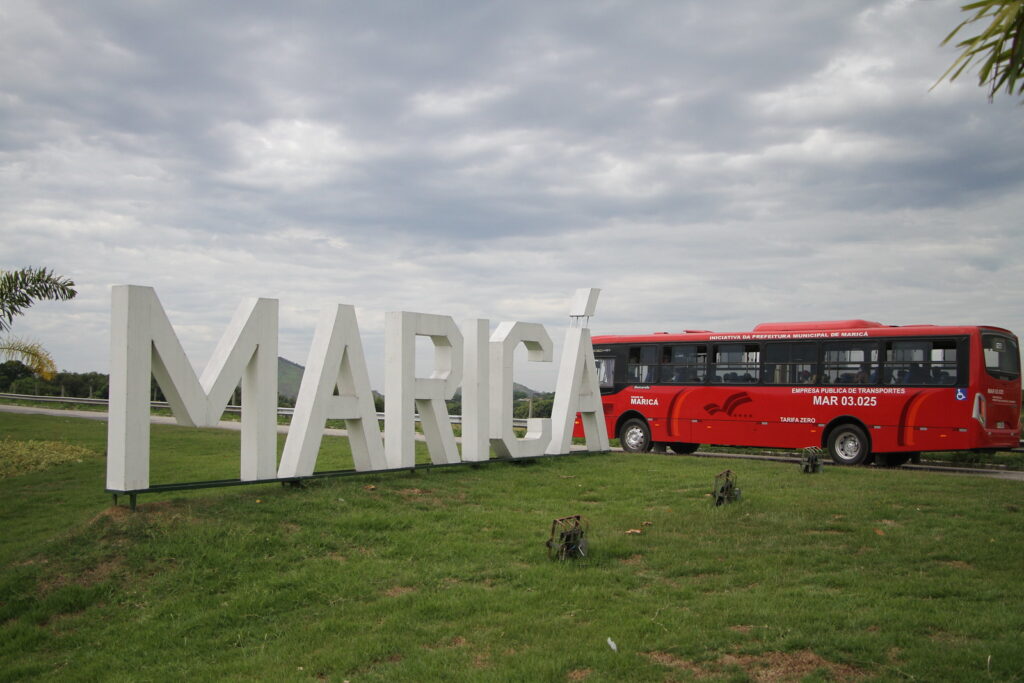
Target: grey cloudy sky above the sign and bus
<point x="706" y="165"/>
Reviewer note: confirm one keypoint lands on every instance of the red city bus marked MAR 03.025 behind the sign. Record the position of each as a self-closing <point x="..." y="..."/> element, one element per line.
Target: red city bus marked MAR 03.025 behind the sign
<point x="857" y="389"/>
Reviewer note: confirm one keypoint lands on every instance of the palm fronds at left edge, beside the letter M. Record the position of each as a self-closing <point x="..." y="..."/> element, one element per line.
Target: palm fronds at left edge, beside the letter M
<point x="19" y="290"/>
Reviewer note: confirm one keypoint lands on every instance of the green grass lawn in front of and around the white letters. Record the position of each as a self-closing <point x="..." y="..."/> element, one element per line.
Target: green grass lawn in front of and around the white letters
<point x="848" y="575"/>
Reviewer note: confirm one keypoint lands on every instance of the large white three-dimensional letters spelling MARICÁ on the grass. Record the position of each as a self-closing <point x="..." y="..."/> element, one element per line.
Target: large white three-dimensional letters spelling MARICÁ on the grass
<point x="144" y="345"/>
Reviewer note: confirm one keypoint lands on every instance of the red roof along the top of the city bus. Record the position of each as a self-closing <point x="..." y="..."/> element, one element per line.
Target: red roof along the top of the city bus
<point x="807" y="330"/>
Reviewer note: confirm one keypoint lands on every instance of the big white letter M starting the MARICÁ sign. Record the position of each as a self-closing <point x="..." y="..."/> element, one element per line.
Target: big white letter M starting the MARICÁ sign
<point x="144" y="345"/>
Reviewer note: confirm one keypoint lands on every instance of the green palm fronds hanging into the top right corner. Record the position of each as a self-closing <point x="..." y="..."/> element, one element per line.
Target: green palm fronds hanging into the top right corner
<point x="1000" y="47"/>
